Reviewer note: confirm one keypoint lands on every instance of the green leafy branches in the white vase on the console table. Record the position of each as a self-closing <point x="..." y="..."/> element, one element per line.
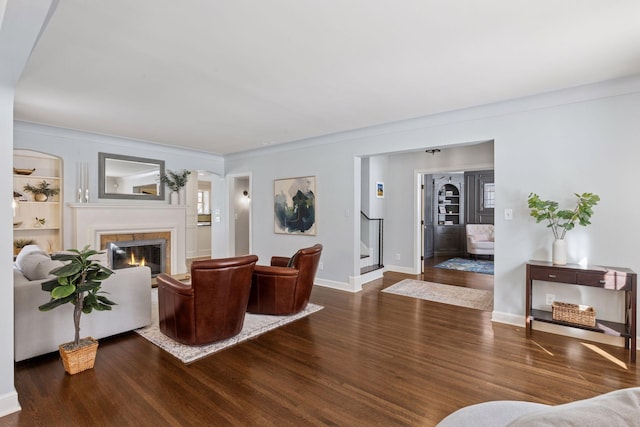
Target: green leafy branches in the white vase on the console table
<point x="547" y="210"/>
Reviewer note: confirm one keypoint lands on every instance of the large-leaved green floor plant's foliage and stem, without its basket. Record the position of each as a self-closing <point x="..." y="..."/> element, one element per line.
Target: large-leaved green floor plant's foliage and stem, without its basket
<point x="78" y="282"/>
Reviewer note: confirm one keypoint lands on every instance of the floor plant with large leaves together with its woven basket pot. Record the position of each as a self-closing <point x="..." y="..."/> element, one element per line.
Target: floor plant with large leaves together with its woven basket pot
<point x="78" y="282"/>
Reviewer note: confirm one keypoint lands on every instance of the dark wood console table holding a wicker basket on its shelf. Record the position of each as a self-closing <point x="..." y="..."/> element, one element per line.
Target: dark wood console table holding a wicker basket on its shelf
<point x="610" y="278"/>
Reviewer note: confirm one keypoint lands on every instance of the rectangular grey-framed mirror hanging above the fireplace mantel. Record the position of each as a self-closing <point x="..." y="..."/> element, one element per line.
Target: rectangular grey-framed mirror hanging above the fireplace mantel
<point x="128" y="177"/>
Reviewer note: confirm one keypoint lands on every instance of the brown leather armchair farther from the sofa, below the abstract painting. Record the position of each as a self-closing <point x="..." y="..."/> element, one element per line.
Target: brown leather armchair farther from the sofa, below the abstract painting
<point x="285" y="286"/>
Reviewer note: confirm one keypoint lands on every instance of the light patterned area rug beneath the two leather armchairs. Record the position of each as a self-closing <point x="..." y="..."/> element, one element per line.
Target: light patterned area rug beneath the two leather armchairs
<point x="254" y="325"/>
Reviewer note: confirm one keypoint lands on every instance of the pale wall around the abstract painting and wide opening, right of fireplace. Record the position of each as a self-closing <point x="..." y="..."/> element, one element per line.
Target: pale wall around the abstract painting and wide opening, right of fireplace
<point x="555" y="144"/>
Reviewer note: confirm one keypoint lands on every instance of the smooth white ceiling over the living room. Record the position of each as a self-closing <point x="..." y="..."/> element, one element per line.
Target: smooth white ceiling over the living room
<point x="225" y="76"/>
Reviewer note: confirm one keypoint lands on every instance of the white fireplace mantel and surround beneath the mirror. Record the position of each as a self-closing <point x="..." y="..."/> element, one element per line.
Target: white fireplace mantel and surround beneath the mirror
<point x="94" y="223"/>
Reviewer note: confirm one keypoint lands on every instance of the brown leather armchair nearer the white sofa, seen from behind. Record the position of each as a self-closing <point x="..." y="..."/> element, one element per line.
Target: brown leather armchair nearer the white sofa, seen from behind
<point x="212" y="307"/>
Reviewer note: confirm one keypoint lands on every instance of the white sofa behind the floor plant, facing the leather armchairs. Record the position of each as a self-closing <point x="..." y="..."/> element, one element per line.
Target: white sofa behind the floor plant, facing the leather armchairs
<point x="37" y="332"/>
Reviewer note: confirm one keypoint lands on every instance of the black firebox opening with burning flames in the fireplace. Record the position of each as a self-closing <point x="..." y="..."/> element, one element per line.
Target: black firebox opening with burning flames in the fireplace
<point x="133" y="253"/>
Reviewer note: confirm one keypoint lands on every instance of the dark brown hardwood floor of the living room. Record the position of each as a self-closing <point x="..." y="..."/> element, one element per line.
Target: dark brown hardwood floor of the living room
<point x="367" y="359"/>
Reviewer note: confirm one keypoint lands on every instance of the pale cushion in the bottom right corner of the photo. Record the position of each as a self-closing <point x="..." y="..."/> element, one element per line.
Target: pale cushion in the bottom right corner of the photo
<point x="617" y="408"/>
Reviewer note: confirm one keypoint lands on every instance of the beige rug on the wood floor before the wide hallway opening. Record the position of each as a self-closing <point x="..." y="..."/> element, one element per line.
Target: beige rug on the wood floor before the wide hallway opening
<point x="454" y="295"/>
